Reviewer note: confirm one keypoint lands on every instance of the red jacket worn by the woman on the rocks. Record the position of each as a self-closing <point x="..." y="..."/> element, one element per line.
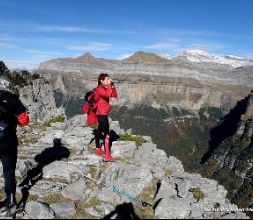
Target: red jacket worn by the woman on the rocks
<point x="102" y="98"/>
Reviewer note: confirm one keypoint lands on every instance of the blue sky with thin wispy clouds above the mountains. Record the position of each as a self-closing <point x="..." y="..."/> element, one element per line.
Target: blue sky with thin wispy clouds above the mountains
<point x="33" y="31"/>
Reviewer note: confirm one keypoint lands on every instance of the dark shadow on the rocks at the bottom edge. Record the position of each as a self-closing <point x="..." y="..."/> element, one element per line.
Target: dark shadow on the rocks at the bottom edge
<point x="124" y="211"/>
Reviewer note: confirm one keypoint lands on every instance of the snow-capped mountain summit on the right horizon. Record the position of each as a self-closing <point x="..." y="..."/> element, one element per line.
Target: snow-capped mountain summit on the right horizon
<point x="199" y="56"/>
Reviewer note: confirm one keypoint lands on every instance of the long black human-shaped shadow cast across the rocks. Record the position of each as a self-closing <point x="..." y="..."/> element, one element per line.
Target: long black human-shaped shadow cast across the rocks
<point x="48" y="156"/>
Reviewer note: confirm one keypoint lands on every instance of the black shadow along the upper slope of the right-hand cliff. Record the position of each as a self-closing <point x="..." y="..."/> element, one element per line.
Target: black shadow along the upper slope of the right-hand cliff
<point x="227" y="128"/>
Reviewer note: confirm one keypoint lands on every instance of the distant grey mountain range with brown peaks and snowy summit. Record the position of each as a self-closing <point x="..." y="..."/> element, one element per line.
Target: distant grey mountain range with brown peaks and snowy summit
<point x="193" y="64"/>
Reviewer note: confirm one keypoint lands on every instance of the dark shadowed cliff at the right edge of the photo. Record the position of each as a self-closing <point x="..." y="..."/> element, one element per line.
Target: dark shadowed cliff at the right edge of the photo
<point x="231" y="159"/>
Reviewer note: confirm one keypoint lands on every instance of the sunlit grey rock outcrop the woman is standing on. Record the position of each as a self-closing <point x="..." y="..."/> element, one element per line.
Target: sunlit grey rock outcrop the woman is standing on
<point x="144" y="172"/>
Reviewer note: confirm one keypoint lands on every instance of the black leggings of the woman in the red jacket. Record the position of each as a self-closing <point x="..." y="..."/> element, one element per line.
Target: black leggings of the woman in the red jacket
<point x="103" y="129"/>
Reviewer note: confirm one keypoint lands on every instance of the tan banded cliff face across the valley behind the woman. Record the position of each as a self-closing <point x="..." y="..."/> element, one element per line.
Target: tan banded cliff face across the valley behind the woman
<point x="156" y="91"/>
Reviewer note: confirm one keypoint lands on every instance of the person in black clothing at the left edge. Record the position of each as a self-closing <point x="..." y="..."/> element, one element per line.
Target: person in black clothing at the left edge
<point x="12" y="113"/>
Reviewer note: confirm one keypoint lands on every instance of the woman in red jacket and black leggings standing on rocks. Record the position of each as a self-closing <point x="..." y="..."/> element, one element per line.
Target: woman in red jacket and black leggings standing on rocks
<point x="104" y="91"/>
